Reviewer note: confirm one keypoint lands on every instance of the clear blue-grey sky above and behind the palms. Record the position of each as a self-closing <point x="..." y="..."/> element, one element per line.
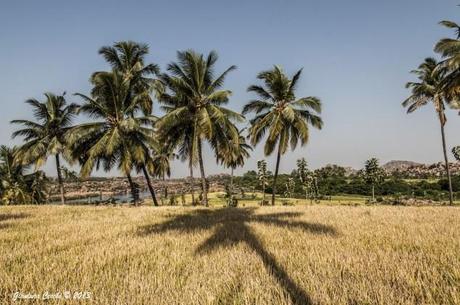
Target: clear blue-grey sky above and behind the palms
<point x="356" y="57"/>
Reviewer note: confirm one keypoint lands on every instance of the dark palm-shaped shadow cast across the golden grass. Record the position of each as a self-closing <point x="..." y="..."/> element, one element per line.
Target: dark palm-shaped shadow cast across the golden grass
<point x="233" y="227"/>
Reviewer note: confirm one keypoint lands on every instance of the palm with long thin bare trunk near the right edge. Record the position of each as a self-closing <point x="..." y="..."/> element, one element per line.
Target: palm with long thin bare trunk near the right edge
<point x="428" y="89"/>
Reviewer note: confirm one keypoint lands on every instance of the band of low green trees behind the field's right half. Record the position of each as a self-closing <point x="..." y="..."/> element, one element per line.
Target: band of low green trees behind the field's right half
<point x="333" y="180"/>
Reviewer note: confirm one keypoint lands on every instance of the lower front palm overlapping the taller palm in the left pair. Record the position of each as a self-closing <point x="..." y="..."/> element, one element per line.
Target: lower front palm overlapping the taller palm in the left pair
<point x="120" y="137"/>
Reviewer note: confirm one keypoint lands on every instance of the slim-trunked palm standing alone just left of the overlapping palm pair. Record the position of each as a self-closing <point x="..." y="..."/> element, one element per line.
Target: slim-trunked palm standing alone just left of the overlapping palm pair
<point x="46" y="136"/>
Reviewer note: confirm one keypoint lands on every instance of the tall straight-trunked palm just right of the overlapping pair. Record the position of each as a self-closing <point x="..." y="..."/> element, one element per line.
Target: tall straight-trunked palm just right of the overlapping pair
<point x="193" y="99"/>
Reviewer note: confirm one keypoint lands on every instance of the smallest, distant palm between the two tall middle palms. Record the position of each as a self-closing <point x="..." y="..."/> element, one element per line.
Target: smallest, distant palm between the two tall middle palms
<point x="233" y="154"/>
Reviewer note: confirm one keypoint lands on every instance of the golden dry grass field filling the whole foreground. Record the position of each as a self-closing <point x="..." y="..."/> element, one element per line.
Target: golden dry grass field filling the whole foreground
<point x="268" y="255"/>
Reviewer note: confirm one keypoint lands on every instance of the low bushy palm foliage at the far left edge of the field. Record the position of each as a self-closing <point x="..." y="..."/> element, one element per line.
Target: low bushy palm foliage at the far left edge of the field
<point x="16" y="186"/>
